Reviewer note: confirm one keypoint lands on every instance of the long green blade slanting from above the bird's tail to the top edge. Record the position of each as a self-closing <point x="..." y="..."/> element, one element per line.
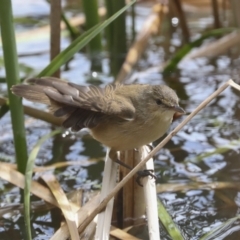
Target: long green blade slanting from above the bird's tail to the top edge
<point x="79" y="43"/>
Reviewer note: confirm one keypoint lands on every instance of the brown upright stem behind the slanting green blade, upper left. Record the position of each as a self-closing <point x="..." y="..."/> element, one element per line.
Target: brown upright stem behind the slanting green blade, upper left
<point x="55" y="35"/>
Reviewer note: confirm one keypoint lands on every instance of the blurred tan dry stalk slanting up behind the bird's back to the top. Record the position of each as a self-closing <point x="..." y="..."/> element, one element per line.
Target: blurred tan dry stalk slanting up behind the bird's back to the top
<point x="150" y="27"/>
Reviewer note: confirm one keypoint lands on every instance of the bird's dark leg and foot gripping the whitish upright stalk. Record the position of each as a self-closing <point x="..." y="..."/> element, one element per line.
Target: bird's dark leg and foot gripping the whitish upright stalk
<point x="141" y="174"/>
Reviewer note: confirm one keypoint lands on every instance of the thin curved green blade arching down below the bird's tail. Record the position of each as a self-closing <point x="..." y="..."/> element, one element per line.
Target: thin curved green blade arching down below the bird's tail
<point x="28" y="179"/>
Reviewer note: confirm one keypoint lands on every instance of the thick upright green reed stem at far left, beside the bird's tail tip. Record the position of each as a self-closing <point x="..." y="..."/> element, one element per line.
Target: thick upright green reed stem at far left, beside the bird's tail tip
<point x="12" y="77"/>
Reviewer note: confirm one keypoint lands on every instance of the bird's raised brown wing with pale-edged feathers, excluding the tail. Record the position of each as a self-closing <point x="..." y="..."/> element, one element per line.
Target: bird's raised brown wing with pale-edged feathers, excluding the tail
<point x="93" y="98"/>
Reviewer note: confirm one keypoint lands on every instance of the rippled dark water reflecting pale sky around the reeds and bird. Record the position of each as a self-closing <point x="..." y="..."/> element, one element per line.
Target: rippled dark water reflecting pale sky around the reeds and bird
<point x="195" y="211"/>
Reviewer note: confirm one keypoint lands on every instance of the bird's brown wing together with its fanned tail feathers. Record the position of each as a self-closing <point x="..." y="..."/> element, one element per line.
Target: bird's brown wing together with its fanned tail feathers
<point x="81" y="106"/>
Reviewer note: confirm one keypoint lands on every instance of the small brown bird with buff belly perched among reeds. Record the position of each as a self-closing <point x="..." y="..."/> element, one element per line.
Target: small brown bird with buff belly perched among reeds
<point x="121" y="117"/>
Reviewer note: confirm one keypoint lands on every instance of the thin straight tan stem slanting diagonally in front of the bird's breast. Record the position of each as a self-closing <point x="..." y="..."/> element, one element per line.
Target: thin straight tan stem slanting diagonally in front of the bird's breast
<point x="104" y="202"/>
